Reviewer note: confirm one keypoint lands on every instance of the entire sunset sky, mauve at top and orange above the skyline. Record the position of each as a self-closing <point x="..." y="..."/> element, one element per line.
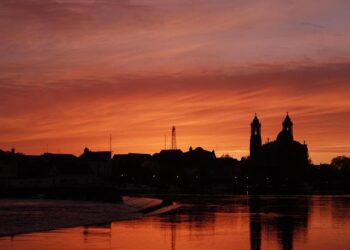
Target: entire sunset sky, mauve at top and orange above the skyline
<point x="74" y="71"/>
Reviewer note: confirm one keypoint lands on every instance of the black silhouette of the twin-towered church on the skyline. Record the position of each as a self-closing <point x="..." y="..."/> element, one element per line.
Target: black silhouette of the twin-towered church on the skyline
<point x="283" y="157"/>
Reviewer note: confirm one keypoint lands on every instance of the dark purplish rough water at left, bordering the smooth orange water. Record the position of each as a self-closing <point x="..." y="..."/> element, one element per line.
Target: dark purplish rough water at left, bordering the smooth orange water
<point x="26" y="216"/>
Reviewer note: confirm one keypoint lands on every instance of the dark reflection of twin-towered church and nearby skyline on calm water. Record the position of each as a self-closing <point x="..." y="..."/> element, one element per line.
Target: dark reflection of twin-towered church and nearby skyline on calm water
<point x="282" y="218"/>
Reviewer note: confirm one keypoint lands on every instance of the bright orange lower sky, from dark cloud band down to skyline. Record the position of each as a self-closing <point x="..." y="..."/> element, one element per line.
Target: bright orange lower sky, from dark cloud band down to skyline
<point x="210" y="110"/>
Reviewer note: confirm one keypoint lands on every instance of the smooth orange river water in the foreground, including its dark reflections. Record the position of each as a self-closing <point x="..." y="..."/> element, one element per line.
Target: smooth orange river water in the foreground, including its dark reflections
<point x="226" y="222"/>
